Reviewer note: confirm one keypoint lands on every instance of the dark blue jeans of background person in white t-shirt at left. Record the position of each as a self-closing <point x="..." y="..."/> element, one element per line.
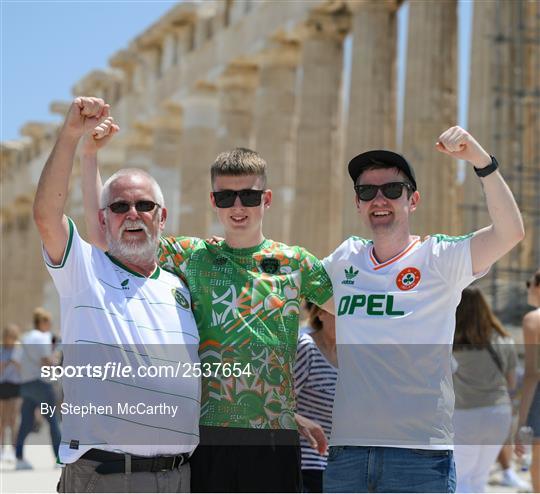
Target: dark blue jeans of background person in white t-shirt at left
<point x="34" y="393"/>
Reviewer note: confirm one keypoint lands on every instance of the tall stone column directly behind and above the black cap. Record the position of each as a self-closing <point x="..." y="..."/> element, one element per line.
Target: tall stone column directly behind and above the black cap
<point x="372" y="97"/>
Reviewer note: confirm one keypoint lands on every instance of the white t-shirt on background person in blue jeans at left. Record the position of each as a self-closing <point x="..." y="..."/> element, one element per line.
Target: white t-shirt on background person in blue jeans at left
<point x="34" y="346"/>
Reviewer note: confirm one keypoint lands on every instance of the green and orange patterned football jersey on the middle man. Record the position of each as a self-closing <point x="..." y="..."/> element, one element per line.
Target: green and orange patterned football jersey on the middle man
<point x="247" y="306"/>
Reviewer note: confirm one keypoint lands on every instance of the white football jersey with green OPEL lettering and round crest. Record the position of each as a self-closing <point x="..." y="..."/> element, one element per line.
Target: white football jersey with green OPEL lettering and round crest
<point x="394" y="330"/>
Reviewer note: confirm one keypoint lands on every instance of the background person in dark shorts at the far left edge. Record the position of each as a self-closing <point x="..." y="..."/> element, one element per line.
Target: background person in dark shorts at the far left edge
<point x="9" y="389"/>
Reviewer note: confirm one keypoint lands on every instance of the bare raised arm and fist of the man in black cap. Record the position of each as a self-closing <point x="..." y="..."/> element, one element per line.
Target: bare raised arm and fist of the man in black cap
<point x="488" y="244"/>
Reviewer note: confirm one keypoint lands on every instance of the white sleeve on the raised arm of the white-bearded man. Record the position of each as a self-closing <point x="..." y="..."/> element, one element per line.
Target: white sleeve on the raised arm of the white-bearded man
<point x="73" y="273"/>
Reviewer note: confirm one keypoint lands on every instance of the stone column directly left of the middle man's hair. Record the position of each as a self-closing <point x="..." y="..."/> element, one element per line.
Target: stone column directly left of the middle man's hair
<point x="197" y="153"/>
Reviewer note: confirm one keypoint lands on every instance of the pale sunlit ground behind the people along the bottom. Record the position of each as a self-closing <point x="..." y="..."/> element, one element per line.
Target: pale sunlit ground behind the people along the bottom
<point x="45" y="475"/>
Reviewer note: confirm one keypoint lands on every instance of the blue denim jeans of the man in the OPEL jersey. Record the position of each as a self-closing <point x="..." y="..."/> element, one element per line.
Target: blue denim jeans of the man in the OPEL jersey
<point x="379" y="469"/>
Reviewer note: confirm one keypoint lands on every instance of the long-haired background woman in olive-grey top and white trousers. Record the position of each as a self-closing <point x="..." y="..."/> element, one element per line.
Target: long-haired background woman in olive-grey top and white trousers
<point x="486" y="362"/>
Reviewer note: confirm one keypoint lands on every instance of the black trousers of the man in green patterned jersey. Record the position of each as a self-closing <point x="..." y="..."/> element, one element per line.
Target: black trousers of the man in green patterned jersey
<point x="231" y="459"/>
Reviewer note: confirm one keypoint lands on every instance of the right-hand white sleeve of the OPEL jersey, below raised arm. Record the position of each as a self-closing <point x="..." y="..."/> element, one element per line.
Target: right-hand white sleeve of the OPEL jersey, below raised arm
<point x="452" y="259"/>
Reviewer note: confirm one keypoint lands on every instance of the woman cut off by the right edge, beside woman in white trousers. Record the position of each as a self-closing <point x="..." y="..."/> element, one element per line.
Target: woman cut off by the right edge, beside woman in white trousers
<point x="529" y="411"/>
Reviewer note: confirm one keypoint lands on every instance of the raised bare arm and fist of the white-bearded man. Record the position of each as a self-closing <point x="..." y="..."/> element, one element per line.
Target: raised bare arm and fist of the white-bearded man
<point x="85" y="115"/>
